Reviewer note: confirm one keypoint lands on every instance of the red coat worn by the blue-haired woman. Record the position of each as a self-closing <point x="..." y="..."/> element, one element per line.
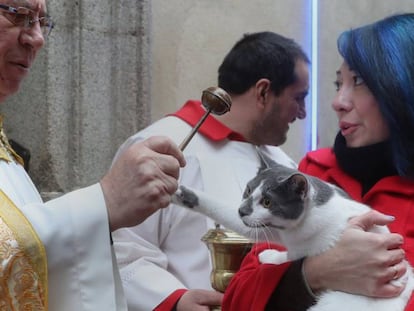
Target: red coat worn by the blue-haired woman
<point x="252" y="286"/>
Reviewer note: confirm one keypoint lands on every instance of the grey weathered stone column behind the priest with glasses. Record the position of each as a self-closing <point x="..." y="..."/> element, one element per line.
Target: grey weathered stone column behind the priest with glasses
<point x="87" y="92"/>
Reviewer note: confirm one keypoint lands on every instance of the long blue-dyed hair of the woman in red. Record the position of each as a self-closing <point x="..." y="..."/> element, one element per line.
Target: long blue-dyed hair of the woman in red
<point x="382" y="53"/>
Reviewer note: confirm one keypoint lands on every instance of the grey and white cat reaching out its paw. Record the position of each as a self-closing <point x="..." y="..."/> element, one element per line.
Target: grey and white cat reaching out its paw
<point x="304" y="214"/>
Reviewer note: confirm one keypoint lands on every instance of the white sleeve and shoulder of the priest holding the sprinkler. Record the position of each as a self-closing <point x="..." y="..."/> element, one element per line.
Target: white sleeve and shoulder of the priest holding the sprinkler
<point x="82" y="271"/>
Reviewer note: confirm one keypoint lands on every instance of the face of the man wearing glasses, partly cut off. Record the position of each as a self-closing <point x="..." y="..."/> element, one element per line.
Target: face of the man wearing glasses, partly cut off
<point x="18" y="46"/>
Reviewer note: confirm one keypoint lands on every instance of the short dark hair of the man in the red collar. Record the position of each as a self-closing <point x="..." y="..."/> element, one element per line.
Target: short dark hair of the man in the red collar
<point x="257" y="56"/>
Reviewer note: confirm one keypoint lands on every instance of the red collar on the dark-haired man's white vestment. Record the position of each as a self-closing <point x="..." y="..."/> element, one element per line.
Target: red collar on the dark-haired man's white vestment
<point x="192" y="111"/>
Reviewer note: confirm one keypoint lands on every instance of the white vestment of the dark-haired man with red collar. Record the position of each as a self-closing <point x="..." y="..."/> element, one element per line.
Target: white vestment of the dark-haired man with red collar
<point x="165" y="252"/>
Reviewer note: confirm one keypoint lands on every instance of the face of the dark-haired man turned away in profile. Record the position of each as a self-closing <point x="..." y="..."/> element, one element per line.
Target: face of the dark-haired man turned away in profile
<point x="283" y="109"/>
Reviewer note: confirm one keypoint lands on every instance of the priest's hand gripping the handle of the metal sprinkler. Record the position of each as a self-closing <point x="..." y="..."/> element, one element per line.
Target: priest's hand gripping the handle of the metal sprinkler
<point x="141" y="181"/>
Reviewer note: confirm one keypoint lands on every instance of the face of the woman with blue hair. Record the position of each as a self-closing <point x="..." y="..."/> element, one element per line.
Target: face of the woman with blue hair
<point x="359" y="118"/>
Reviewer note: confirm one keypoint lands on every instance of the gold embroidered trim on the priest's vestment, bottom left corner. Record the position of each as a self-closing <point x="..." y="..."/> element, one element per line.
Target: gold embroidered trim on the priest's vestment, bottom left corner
<point x="23" y="262"/>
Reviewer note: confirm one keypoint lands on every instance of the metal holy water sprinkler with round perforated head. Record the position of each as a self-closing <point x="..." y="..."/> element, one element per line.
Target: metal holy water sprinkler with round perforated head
<point x="215" y="100"/>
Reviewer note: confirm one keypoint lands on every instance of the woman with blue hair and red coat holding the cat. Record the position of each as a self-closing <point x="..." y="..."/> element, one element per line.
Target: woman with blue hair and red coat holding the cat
<point x="373" y="161"/>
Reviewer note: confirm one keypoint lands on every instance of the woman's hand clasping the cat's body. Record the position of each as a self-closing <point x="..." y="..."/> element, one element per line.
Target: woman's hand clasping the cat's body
<point x="361" y="262"/>
